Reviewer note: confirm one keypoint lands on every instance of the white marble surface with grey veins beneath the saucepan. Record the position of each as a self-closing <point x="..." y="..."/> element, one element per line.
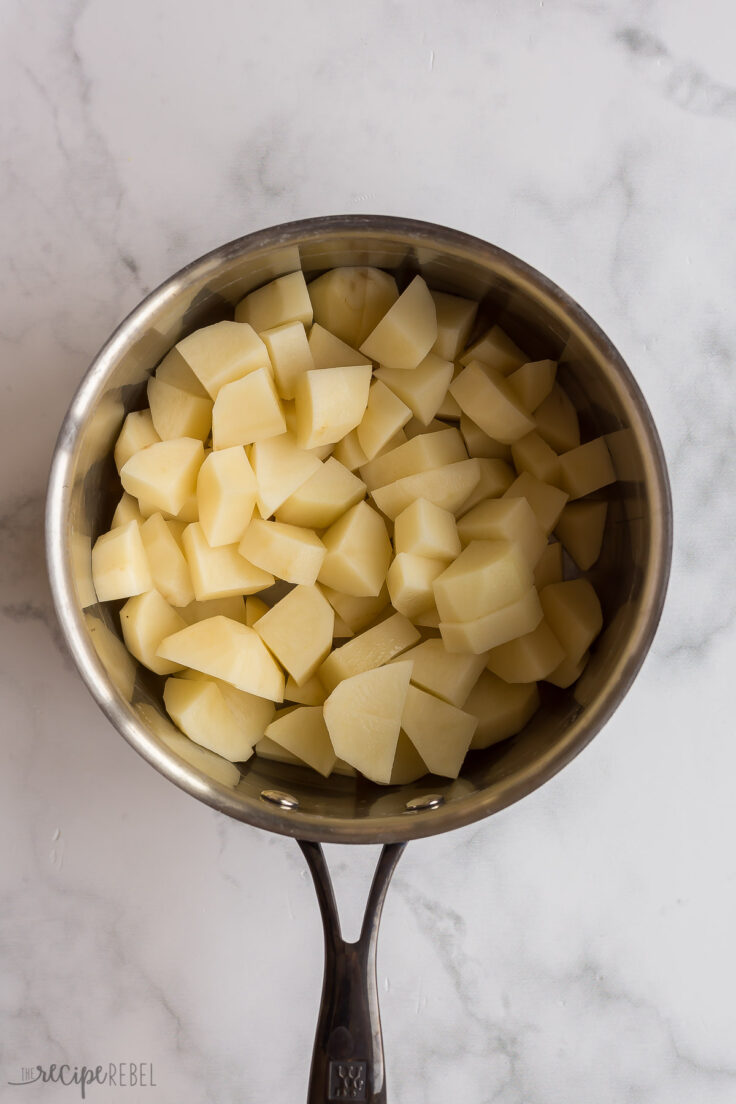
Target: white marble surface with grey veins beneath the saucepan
<point x="577" y="948"/>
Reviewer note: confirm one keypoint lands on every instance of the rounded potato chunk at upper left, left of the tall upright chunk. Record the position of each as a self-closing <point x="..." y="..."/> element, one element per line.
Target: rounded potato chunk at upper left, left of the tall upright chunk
<point x="164" y="475"/>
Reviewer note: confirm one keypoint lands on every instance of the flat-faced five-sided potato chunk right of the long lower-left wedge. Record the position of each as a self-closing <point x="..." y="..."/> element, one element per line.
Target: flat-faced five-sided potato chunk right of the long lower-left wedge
<point x="298" y="631"/>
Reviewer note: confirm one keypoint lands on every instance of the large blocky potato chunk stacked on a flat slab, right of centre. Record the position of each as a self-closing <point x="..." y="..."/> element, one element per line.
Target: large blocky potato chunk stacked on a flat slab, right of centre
<point x="486" y="577"/>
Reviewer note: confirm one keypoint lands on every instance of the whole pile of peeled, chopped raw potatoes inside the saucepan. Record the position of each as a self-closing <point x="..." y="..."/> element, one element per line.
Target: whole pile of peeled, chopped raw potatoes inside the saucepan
<point x="340" y="438"/>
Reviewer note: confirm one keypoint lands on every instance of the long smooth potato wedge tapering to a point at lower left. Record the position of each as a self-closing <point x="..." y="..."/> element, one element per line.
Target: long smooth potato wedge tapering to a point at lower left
<point x="230" y="652"/>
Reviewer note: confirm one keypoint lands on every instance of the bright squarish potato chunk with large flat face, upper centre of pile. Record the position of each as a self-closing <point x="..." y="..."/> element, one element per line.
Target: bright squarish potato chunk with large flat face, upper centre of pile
<point x="330" y="404"/>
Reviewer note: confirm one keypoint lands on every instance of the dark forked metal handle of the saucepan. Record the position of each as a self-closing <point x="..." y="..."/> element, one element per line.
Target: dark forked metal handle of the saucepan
<point x="348" y="1056"/>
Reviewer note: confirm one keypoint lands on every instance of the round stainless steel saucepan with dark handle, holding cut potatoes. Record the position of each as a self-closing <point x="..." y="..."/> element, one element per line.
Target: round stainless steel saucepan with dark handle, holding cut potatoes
<point x="631" y="578"/>
